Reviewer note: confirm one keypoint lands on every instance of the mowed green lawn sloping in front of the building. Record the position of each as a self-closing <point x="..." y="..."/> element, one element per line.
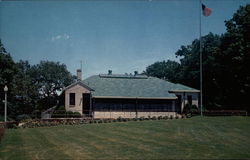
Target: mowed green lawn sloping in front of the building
<point x="208" y="137"/>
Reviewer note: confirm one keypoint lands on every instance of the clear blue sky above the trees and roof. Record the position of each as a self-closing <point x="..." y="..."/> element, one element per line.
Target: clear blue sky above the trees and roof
<point x="119" y="35"/>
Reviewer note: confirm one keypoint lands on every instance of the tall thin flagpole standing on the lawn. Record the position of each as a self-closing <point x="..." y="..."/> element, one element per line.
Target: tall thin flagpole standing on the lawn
<point x="201" y="103"/>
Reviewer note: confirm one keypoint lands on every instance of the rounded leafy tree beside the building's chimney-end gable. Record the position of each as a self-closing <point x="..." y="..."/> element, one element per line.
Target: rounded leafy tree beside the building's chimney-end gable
<point x="50" y="77"/>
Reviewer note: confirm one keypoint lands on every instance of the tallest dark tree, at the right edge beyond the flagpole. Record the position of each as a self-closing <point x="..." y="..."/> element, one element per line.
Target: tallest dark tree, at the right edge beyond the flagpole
<point x="234" y="59"/>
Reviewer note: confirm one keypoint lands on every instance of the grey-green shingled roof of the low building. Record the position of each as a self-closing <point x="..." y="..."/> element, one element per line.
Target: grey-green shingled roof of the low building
<point x="132" y="86"/>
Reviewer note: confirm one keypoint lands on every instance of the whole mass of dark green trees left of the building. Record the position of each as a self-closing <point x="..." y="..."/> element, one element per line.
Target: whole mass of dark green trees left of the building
<point x="31" y="88"/>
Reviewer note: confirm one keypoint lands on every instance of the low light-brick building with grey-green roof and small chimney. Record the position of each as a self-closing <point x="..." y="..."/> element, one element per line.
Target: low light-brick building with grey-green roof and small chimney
<point x="129" y="96"/>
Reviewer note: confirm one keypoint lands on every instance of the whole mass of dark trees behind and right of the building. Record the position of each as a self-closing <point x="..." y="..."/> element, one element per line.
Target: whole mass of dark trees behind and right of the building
<point x="225" y="58"/>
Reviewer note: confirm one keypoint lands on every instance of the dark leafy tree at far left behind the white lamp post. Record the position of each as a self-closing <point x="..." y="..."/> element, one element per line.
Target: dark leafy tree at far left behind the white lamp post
<point x="22" y="93"/>
